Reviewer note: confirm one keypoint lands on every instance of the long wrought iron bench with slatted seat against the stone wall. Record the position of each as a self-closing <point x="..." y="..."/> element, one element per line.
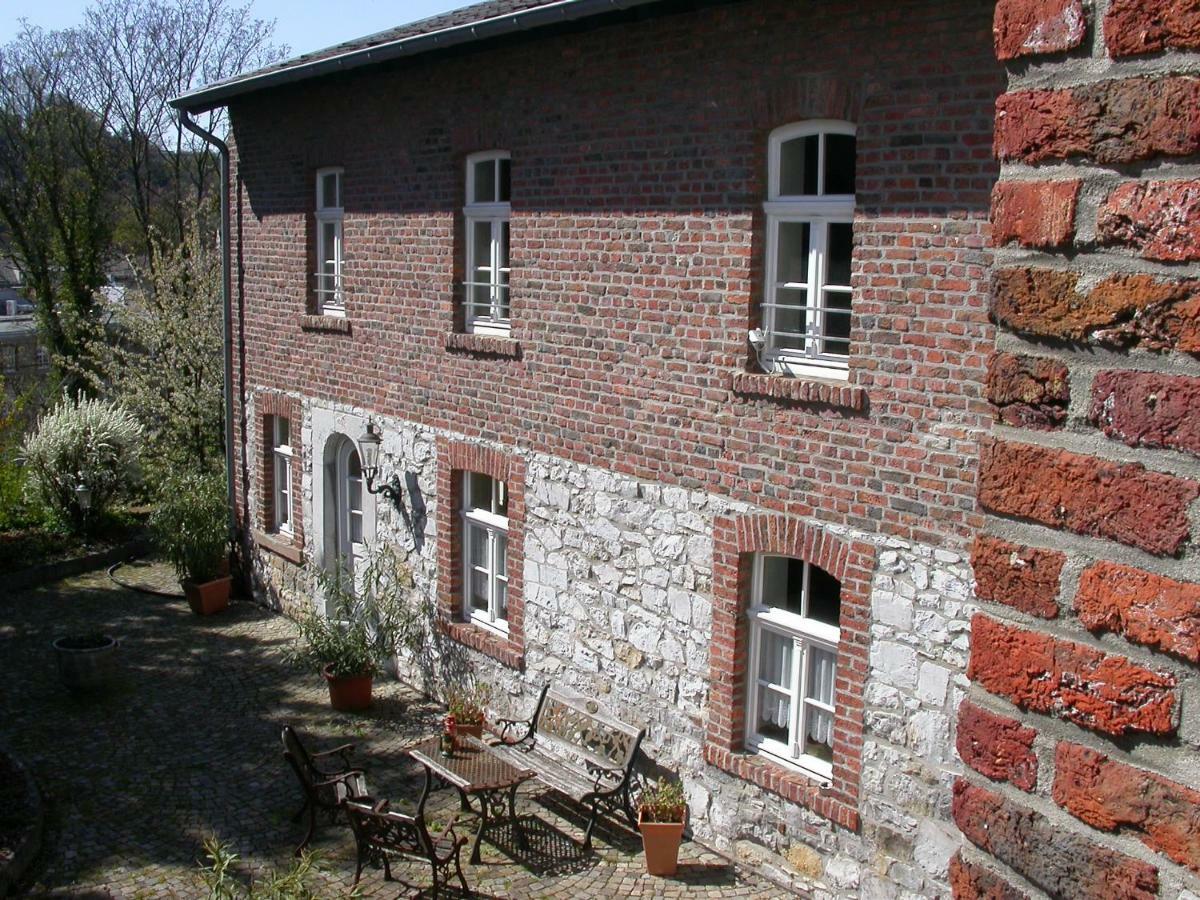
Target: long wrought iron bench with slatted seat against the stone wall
<point x="578" y="748"/>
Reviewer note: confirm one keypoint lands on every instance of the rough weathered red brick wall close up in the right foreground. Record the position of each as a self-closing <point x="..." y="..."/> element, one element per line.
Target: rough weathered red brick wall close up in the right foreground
<point x="1082" y="730"/>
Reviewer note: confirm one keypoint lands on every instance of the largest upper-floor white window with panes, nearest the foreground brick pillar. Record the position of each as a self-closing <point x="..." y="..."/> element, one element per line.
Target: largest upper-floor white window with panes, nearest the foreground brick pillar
<point x="811" y="238"/>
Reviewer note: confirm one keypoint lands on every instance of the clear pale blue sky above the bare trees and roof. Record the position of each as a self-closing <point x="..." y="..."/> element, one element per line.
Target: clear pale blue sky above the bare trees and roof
<point x="302" y="25"/>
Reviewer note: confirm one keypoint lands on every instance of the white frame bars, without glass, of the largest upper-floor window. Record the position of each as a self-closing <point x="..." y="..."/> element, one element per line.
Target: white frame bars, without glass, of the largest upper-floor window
<point x="819" y="212"/>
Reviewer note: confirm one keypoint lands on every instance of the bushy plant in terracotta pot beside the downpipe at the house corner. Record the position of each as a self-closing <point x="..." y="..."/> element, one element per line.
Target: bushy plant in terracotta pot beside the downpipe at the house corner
<point x="191" y="527"/>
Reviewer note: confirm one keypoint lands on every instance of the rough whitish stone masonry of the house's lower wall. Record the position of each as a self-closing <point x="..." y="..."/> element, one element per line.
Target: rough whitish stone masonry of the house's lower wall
<point x="619" y="603"/>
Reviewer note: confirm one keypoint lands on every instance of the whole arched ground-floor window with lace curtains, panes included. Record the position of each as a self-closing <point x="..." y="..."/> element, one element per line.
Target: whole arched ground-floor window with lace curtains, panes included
<point x="795" y="614"/>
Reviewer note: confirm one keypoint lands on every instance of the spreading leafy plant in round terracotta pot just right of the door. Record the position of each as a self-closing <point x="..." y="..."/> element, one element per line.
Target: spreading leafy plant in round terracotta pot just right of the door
<point x="368" y="616"/>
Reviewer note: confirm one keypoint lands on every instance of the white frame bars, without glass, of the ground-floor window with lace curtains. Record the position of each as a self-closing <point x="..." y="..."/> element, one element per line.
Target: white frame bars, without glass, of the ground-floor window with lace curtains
<point x="805" y="634"/>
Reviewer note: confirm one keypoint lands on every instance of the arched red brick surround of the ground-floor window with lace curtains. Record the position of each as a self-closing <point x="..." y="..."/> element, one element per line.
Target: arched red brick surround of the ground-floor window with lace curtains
<point x="736" y="541"/>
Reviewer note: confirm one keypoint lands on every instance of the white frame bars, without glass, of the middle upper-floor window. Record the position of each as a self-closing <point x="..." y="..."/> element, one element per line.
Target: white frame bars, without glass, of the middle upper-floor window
<point x="497" y="214"/>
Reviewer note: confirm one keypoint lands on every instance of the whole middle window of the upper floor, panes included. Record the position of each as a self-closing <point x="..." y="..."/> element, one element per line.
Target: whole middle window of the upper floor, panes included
<point x="487" y="215"/>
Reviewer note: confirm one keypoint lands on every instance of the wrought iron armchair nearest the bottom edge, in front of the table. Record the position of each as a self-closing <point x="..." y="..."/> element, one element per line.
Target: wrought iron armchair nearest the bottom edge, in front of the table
<point x="381" y="833"/>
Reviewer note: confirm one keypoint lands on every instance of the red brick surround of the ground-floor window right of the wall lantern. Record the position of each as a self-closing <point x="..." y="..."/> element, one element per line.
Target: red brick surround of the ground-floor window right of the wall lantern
<point x="454" y="459"/>
